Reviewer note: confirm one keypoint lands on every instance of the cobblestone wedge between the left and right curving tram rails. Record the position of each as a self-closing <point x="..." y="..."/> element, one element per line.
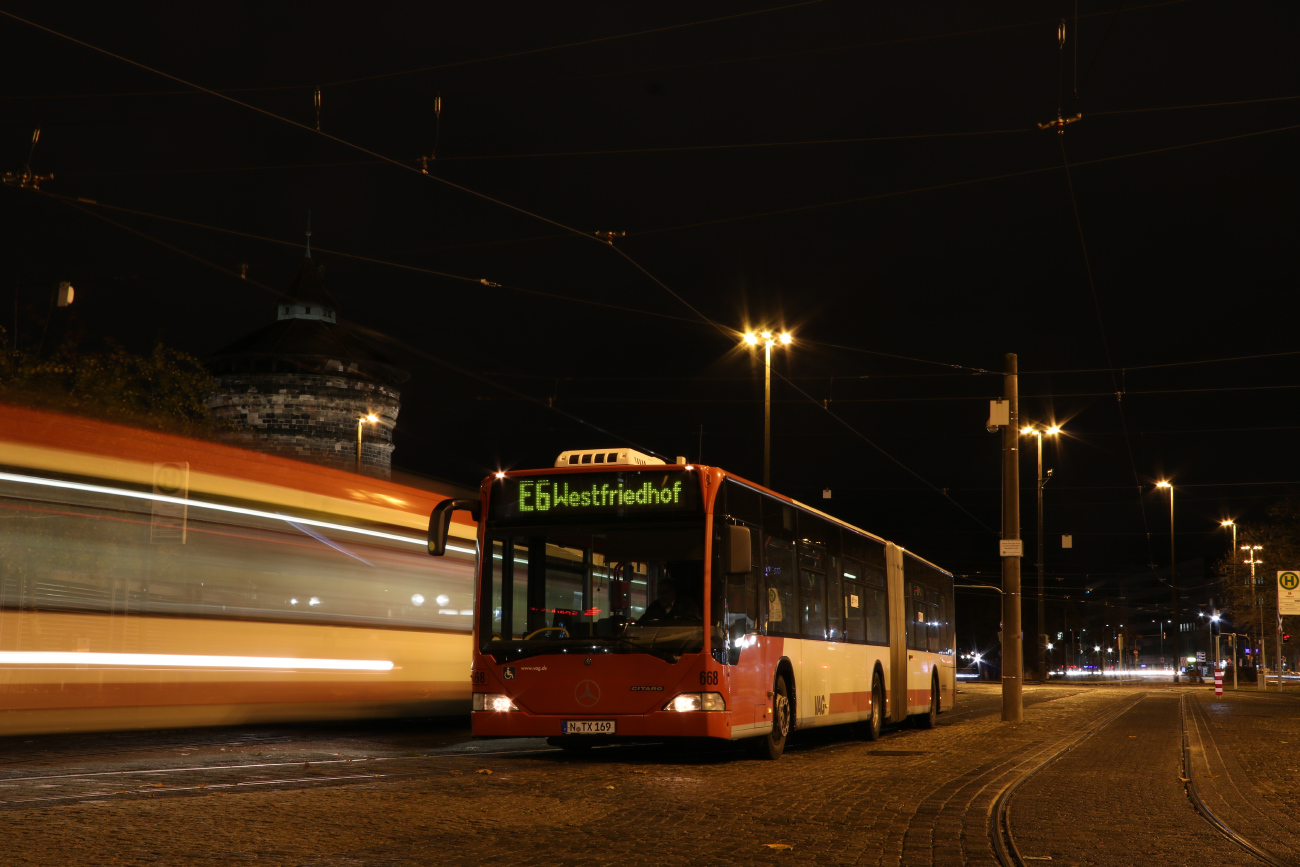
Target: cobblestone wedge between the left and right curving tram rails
<point x="1119" y="799"/>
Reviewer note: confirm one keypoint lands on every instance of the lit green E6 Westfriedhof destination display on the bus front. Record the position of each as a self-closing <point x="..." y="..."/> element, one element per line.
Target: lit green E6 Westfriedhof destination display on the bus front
<point x="565" y="497"/>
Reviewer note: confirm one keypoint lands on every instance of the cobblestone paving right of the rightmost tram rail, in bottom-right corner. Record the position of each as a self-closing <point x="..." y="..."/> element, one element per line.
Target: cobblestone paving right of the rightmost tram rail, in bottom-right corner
<point x="1246" y="761"/>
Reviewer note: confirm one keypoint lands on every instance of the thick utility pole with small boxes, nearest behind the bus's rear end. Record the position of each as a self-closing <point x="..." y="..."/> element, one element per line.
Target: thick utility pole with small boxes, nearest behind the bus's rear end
<point x="1012" y="550"/>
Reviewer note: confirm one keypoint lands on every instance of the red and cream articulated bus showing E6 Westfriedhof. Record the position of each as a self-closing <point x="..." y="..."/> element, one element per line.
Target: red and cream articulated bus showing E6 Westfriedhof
<point x="621" y="599"/>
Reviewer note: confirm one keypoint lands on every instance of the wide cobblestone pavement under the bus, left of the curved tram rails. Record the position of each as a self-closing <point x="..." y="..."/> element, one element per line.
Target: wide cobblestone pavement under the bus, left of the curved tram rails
<point x="916" y="797"/>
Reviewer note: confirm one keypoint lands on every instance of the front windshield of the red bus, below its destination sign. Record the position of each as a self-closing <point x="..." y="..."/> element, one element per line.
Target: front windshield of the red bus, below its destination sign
<point x="593" y="589"/>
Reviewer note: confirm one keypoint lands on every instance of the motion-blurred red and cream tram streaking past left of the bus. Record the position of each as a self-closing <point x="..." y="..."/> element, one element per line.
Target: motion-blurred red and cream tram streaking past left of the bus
<point x="150" y="580"/>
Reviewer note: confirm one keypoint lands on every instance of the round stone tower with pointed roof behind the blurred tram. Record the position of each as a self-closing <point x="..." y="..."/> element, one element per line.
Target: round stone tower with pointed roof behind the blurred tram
<point x="298" y="387"/>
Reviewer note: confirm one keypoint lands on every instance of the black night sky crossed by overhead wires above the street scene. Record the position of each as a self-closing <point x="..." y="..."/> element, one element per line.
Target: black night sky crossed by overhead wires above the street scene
<point x="868" y="176"/>
